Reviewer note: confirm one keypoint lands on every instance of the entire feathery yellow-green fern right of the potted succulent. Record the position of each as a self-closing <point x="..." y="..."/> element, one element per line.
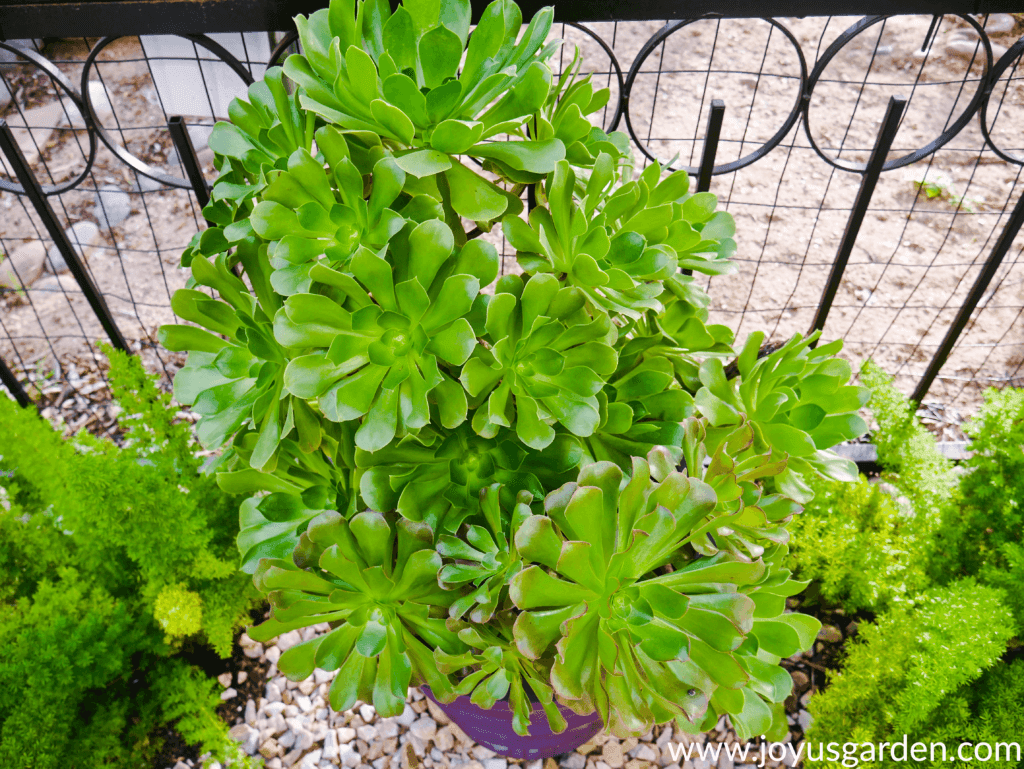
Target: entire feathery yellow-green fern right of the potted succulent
<point x="935" y="552"/>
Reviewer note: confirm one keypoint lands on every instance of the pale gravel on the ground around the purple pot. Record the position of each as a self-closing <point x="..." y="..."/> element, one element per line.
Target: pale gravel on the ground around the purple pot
<point x="290" y="727"/>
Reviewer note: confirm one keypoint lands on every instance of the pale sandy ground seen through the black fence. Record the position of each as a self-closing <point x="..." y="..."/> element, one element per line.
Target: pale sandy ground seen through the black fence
<point x="913" y="265"/>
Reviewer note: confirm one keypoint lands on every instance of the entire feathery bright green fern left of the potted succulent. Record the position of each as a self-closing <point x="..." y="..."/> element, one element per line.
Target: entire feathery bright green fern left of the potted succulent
<point x="110" y="559"/>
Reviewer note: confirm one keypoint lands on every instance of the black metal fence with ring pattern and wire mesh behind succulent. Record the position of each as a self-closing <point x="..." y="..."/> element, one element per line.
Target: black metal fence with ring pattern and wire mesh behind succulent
<point x="873" y="166"/>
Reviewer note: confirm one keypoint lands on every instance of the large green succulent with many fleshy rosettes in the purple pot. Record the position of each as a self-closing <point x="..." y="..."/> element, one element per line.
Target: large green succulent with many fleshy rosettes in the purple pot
<point x="401" y="417"/>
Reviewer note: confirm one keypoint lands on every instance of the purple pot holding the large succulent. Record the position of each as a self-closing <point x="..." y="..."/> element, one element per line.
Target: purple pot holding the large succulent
<point x="493" y="729"/>
